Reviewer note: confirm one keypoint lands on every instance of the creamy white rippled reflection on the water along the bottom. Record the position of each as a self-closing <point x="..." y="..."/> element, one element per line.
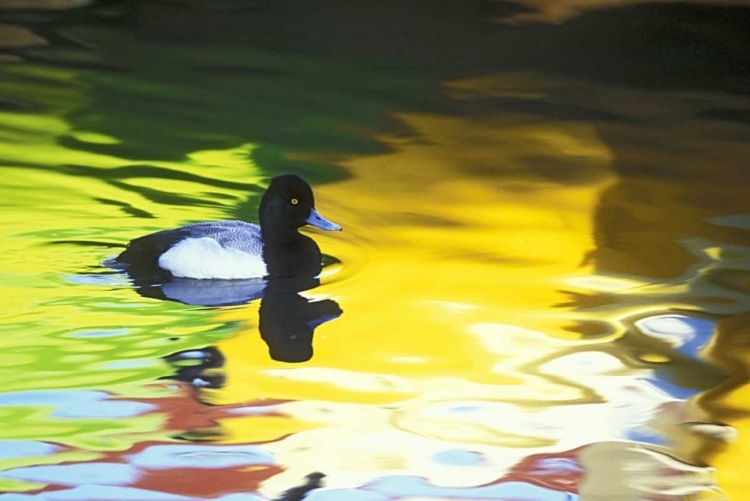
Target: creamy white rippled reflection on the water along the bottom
<point x="438" y="446"/>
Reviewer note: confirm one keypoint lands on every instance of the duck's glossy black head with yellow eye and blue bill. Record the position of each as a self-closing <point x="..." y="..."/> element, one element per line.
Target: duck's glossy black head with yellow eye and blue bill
<point x="288" y="204"/>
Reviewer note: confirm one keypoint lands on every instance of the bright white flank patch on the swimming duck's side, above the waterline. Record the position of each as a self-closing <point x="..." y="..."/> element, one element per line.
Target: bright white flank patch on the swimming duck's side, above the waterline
<point x="206" y="258"/>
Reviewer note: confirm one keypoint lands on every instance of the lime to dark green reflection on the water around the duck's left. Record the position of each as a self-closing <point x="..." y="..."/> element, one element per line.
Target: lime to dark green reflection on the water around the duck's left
<point x="174" y="133"/>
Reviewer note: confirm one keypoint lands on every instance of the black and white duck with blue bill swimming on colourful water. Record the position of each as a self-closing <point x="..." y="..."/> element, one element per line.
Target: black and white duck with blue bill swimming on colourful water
<point x="227" y="250"/>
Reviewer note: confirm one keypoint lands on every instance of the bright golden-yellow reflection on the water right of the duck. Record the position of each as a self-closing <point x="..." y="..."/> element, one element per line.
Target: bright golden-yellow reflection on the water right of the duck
<point x="449" y="231"/>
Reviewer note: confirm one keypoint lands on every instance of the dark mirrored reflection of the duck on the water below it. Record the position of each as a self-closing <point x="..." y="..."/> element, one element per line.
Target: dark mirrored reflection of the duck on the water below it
<point x="287" y="320"/>
